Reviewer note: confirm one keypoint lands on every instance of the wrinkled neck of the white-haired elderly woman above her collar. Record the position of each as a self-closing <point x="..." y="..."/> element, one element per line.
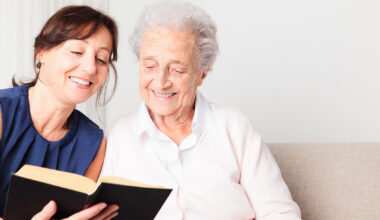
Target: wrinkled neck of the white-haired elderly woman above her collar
<point x="177" y="126"/>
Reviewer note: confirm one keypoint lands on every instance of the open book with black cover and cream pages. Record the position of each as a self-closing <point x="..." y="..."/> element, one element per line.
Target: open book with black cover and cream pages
<point x="32" y="187"/>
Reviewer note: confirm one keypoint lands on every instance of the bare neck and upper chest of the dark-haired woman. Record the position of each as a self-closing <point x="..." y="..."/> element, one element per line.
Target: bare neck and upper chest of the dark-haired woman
<point x="49" y="115"/>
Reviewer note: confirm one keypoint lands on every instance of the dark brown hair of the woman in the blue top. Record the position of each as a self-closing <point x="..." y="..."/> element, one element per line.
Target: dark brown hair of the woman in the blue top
<point x="75" y="22"/>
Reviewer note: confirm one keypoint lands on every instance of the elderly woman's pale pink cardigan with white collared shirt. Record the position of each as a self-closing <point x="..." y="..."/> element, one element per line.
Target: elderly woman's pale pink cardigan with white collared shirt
<point x="223" y="170"/>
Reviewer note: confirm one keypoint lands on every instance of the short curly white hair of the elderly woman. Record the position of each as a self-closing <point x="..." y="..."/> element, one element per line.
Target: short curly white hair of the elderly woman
<point x="184" y="16"/>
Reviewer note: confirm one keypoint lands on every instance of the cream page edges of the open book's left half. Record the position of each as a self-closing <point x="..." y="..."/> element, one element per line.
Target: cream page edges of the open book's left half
<point x="58" y="178"/>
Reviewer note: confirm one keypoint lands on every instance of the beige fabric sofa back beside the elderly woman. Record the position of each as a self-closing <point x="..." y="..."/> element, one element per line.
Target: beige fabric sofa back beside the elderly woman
<point x="332" y="181"/>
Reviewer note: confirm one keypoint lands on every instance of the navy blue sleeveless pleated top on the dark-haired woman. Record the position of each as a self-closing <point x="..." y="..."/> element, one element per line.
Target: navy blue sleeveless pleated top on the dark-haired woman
<point x="21" y="144"/>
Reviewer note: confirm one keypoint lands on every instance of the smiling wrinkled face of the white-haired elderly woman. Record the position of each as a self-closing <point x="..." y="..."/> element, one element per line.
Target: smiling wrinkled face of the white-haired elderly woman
<point x="169" y="71"/>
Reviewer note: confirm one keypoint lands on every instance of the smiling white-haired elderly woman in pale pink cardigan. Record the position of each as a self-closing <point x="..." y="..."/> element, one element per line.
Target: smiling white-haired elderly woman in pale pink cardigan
<point x="212" y="156"/>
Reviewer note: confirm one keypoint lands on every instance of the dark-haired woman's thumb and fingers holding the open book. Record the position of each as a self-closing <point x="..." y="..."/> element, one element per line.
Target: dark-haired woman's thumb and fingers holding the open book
<point x="96" y="212"/>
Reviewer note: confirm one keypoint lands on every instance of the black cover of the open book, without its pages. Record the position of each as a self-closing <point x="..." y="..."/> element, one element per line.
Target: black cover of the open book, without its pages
<point x="27" y="197"/>
